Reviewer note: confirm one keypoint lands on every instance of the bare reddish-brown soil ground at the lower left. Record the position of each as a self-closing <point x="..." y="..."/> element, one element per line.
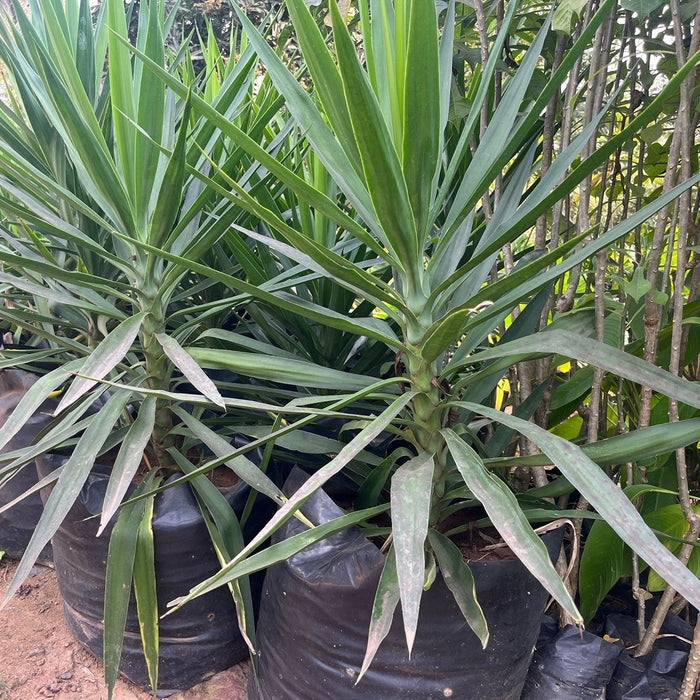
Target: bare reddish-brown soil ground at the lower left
<point x="39" y="658"/>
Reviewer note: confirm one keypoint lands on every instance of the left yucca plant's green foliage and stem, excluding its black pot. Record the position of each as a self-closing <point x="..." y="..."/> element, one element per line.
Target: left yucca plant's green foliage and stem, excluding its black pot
<point x="100" y="168"/>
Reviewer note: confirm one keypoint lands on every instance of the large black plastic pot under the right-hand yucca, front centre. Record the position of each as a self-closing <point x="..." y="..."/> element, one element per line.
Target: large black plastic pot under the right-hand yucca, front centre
<point x="315" y="613"/>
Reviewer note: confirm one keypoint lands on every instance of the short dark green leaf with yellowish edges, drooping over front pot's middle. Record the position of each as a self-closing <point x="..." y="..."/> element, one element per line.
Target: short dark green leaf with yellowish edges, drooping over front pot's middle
<point x="459" y="579"/>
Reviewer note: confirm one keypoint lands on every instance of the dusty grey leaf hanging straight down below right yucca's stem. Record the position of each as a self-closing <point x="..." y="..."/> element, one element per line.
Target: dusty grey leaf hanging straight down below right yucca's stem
<point x="411" y="491"/>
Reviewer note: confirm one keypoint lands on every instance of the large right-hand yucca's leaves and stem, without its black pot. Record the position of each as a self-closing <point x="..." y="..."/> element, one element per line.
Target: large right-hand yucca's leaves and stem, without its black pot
<point x="423" y="208"/>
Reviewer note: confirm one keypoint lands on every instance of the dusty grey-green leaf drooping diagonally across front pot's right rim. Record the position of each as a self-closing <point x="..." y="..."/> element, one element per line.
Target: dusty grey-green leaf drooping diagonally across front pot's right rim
<point x="507" y="517"/>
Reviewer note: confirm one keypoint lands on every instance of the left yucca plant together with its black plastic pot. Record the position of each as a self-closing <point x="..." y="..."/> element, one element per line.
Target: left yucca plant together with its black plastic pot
<point x="99" y="172"/>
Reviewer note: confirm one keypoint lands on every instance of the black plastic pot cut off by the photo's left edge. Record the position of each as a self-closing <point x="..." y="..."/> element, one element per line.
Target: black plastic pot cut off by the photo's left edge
<point x="17" y="524"/>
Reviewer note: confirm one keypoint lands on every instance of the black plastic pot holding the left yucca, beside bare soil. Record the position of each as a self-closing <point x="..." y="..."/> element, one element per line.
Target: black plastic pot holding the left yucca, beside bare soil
<point x="198" y="640"/>
